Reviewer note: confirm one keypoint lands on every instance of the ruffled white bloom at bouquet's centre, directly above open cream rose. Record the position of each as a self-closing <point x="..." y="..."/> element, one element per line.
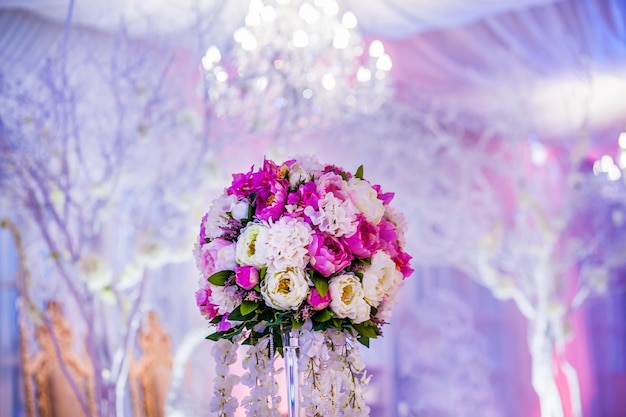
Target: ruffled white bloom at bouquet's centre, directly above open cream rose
<point x="287" y="242"/>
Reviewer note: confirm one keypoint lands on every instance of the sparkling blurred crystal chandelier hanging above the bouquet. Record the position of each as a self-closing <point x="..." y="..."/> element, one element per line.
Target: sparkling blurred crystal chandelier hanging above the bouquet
<point x="296" y="63"/>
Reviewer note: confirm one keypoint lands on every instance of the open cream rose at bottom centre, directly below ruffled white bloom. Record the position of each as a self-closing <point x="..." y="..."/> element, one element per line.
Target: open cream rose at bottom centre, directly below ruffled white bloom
<point x="286" y="289"/>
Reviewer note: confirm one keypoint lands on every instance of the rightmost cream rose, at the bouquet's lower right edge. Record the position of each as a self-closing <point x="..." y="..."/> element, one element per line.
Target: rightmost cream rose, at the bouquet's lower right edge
<point x="380" y="278"/>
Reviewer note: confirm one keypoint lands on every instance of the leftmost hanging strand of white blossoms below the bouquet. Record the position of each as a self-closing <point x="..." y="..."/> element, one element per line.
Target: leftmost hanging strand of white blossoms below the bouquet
<point x="225" y="354"/>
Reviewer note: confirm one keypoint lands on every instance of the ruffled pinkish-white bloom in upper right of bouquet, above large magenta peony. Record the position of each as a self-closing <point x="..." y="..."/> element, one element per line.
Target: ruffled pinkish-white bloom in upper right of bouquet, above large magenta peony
<point x="335" y="216"/>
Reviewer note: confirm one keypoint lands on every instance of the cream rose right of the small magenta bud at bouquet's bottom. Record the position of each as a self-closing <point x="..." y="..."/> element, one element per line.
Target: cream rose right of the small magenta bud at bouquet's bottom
<point x="346" y="298"/>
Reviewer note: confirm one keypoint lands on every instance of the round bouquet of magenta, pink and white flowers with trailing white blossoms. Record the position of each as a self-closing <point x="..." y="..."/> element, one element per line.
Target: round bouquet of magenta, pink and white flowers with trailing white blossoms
<point x="305" y="245"/>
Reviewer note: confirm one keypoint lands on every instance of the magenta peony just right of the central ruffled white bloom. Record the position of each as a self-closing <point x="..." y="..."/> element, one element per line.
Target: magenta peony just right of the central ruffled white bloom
<point x="328" y="255"/>
